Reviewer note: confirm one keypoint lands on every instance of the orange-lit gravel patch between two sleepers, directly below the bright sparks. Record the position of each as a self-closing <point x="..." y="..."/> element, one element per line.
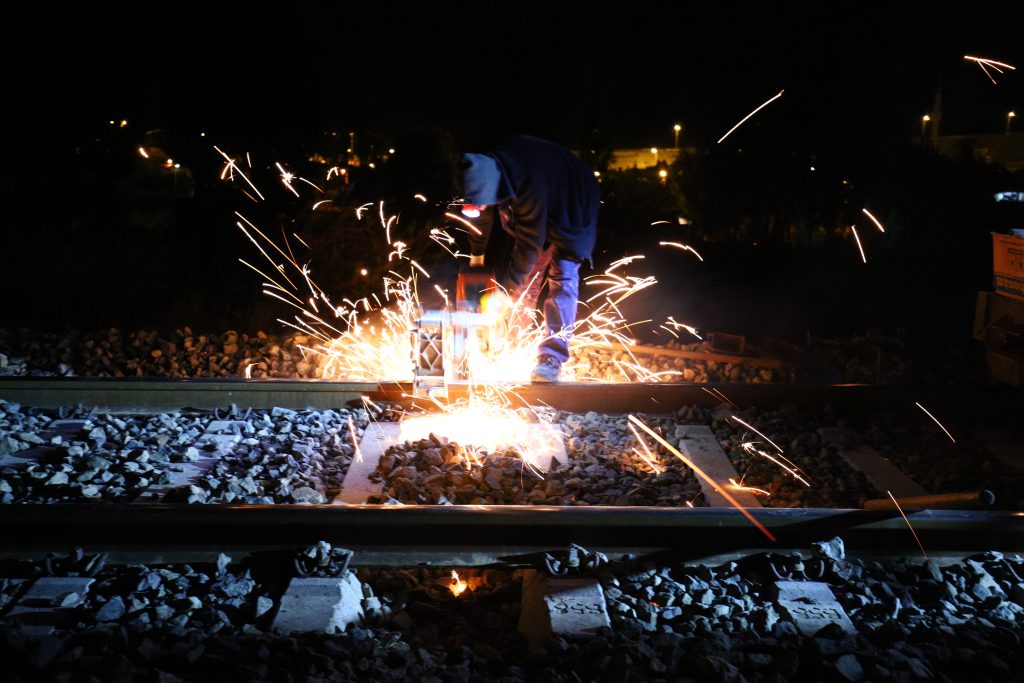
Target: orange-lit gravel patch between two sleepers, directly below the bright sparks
<point x="603" y="469"/>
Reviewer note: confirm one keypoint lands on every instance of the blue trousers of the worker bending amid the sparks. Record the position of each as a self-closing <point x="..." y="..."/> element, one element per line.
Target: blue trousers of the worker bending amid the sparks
<point x="563" y="279"/>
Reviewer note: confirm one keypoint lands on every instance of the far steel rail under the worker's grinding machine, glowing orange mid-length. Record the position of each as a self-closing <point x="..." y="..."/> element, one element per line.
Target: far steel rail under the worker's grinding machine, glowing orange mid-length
<point x="163" y="395"/>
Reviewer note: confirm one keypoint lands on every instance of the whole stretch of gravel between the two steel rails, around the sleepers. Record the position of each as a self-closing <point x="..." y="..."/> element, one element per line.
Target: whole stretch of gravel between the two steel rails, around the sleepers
<point x="287" y="457"/>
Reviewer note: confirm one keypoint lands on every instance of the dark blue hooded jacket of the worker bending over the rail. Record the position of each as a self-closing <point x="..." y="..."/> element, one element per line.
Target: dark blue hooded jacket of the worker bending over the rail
<point x="544" y="193"/>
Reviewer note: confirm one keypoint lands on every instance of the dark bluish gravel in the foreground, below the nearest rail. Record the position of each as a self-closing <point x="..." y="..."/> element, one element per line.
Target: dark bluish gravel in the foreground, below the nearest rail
<point x="915" y="621"/>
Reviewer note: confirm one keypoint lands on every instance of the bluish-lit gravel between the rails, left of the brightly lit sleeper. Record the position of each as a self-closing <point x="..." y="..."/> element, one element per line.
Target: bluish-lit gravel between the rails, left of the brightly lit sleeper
<point x="283" y="457"/>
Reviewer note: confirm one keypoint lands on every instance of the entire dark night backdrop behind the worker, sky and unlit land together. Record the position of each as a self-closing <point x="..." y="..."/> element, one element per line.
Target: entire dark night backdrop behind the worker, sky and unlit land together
<point x="96" y="238"/>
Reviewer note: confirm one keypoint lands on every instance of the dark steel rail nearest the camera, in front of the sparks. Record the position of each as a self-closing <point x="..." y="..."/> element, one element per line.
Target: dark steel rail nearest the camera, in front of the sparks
<point x="697" y="533"/>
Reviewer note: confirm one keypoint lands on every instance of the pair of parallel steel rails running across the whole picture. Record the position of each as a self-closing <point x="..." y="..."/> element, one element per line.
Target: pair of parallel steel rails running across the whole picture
<point x="487" y="533"/>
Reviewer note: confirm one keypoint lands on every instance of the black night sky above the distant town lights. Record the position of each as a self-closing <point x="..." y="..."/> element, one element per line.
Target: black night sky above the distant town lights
<point x="562" y="70"/>
